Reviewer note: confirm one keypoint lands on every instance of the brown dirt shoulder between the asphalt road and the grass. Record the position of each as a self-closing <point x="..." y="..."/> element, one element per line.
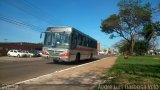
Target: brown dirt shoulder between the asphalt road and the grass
<point x="85" y="74"/>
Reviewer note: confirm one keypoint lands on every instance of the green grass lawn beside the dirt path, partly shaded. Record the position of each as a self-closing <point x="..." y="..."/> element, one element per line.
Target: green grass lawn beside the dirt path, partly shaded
<point x="137" y="70"/>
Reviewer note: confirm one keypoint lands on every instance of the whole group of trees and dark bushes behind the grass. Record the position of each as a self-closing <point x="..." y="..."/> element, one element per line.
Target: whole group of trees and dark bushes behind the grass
<point x="134" y="23"/>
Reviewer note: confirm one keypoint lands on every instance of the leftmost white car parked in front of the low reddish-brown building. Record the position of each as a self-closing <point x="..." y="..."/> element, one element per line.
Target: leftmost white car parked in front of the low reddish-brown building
<point x="16" y="53"/>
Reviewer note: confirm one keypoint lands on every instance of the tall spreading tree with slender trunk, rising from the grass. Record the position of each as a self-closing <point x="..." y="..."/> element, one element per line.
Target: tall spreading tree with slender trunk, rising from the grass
<point x="129" y="22"/>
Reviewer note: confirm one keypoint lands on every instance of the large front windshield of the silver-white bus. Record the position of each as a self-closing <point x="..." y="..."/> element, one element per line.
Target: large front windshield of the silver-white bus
<point x="57" y="39"/>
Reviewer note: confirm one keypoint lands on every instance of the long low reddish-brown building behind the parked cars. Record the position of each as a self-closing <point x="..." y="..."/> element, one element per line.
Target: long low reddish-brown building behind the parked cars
<point x="6" y="46"/>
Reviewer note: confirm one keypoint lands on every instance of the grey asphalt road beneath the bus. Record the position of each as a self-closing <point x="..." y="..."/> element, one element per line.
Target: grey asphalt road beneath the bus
<point x="13" y="72"/>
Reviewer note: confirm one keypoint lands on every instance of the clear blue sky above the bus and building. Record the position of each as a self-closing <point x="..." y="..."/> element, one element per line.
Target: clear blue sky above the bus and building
<point x="85" y="15"/>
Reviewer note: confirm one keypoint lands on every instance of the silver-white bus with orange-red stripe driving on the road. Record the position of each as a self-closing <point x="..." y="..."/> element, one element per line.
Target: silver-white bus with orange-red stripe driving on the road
<point x="68" y="44"/>
